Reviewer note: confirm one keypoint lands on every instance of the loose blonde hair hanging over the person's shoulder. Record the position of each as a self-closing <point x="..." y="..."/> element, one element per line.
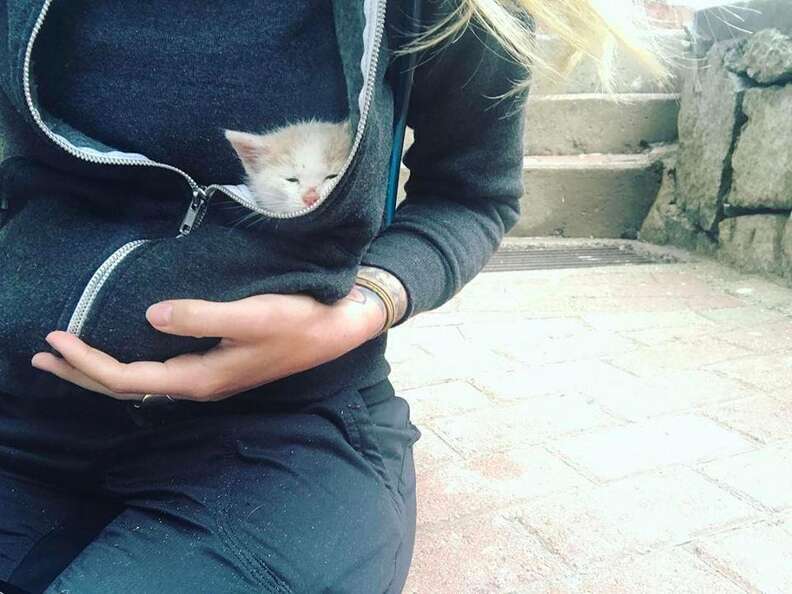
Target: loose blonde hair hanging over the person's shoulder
<point x="587" y="28"/>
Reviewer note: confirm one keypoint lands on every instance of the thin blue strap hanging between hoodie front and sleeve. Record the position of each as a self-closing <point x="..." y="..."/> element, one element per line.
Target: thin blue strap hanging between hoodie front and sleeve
<point x="405" y="67"/>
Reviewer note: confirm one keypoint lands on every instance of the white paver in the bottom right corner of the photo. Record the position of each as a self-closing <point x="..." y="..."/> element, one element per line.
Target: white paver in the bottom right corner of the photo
<point x="758" y="555"/>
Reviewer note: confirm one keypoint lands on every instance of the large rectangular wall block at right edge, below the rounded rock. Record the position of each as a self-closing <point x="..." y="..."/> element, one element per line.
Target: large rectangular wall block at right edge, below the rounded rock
<point x="762" y="160"/>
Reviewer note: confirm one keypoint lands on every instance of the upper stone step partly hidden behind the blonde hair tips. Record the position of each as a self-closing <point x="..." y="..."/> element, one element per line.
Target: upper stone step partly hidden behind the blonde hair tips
<point x="631" y="75"/>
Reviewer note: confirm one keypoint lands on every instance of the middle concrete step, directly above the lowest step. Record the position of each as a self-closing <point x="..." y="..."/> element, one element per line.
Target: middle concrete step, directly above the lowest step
<point x="582" y="123"/>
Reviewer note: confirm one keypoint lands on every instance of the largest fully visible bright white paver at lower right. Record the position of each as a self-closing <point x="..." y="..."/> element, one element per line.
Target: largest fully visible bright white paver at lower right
<point x="620" y="451"/>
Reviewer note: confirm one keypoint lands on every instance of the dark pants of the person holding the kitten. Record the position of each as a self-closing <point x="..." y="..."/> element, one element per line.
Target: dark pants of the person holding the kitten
<point x="109" y="498"/>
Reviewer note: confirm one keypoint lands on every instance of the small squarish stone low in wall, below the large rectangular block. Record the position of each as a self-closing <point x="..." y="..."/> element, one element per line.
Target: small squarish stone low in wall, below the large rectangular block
<point x="754" y="242"/>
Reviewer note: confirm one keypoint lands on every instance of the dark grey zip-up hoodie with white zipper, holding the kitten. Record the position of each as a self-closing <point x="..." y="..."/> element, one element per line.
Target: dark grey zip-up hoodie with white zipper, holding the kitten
<point x="95" y="235"/>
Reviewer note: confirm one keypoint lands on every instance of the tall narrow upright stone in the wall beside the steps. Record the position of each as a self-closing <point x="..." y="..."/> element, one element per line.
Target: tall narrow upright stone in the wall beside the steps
<point x="710" y="112"/>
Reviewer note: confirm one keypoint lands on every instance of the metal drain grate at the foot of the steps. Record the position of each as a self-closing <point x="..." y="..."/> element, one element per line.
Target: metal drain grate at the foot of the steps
<point x="543" y="258"/>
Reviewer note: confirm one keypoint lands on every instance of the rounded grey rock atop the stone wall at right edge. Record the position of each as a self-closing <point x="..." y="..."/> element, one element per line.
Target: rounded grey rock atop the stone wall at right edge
<point x="765" y="57"/>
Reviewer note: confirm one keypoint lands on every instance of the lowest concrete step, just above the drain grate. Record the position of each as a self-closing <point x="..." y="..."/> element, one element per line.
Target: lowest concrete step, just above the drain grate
<point x="603" y="196"/>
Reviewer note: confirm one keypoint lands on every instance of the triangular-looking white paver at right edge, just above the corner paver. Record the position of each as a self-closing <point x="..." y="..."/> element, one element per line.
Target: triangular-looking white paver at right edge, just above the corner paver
<point x="763" y="474"/>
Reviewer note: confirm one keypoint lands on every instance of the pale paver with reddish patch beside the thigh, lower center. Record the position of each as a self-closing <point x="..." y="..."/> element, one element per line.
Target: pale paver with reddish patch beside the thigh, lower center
<point x="491" y="481"/>
